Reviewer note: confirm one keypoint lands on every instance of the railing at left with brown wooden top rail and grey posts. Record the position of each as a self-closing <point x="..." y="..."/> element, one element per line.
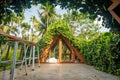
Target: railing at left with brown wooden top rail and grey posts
<point x="26" y="44"/>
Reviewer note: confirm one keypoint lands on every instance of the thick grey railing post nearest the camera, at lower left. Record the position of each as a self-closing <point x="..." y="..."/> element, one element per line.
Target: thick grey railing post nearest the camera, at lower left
<point x="14" y="61"/>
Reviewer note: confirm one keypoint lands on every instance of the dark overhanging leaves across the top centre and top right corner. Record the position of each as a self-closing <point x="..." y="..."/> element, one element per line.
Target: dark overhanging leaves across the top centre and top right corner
<point x="93" y="7"/>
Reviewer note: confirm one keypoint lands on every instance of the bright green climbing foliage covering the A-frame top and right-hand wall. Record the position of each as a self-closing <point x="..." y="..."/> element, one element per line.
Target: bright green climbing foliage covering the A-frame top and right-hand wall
<point x="102" y="52"/>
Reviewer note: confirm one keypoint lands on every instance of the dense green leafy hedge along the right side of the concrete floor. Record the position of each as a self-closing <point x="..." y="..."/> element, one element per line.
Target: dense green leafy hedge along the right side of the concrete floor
<point x="103" y="53"/>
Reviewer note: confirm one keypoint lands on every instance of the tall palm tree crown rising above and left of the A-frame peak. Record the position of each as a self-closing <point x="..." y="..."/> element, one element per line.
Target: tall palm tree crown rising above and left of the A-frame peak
<point x="47" y="15"/>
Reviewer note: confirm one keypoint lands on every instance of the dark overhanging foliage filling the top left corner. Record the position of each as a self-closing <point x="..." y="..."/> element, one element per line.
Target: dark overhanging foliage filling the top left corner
<point x="8" y="7"/>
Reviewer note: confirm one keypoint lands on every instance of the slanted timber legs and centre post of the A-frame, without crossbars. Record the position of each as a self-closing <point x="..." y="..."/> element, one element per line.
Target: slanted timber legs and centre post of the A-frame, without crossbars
<point x="74" y="53"/>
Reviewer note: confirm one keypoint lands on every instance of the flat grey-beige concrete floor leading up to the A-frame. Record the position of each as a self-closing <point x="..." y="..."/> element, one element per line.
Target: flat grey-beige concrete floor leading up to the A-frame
<point x="60" y="72"/>
